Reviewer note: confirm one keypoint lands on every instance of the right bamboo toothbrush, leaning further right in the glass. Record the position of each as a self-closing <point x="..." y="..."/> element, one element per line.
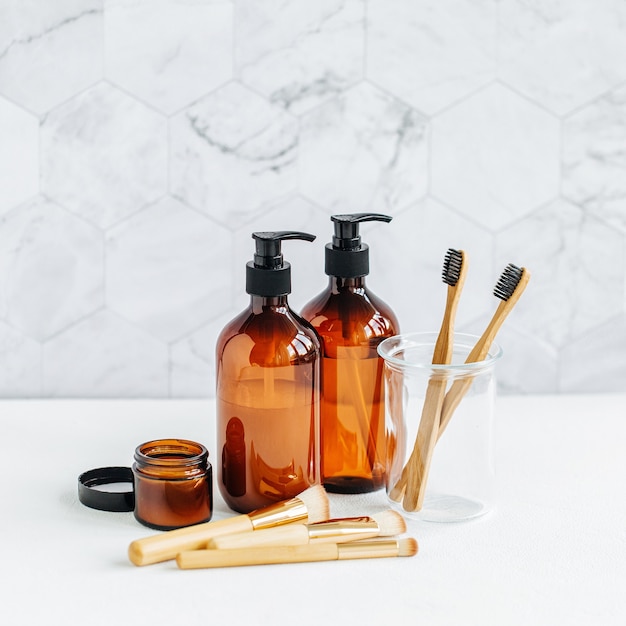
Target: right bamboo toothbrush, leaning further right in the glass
<point x="509" y="288"/>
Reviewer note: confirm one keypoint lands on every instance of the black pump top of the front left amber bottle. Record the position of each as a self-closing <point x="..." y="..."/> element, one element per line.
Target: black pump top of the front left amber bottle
<point x="267" y="274"/>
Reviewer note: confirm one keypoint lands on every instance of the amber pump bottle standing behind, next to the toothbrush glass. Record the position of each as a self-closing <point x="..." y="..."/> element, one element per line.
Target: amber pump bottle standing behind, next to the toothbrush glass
<point x="351" y="321"/>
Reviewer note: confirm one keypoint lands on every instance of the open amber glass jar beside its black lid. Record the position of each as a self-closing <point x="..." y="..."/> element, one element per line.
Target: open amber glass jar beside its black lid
<point x="173" y="484"/>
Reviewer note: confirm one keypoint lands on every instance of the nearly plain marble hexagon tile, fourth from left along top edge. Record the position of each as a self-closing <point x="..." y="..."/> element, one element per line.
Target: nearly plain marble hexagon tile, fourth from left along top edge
<point x="431" y="54"/>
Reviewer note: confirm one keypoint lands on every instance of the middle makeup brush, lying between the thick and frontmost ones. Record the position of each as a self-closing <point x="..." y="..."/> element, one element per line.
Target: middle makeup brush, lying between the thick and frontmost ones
<point x="384" y="524"/>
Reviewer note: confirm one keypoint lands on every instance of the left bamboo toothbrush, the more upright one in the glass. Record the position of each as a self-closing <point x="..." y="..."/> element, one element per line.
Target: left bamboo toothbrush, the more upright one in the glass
<point x="415" y="473"/>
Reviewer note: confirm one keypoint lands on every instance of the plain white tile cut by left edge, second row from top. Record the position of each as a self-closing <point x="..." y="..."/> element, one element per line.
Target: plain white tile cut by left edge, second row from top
<point x="19" y="155"/>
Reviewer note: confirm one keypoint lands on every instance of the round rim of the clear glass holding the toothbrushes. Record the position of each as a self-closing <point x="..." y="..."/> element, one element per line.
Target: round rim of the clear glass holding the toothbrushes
<point x="392" y="345"/>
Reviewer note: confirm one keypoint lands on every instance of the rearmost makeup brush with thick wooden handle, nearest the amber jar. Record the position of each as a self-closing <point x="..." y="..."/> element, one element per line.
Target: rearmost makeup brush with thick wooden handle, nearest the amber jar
<point x="309" y="506"/>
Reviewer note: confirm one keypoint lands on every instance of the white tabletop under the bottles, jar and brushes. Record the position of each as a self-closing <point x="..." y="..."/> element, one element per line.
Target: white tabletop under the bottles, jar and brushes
<point x="553" y="552"/>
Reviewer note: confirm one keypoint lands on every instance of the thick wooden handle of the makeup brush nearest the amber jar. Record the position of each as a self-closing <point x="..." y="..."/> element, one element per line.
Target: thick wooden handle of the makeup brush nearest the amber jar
<point x="167" y="545"/>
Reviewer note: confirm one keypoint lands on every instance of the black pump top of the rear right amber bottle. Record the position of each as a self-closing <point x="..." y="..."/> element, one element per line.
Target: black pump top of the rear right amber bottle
<point x="347" y="256"/>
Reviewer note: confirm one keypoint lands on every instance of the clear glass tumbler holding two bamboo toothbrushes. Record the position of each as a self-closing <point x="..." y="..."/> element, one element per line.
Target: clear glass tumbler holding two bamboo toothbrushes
<point x="460" y="481"/>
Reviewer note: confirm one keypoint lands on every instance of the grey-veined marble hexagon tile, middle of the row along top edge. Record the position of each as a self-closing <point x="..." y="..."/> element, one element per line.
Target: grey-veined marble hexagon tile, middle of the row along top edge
<point x="288" y="51"/>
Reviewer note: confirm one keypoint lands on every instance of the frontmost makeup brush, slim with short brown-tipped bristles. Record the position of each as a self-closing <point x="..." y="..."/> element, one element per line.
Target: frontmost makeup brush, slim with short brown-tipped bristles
<point x="265" y="555"/>
